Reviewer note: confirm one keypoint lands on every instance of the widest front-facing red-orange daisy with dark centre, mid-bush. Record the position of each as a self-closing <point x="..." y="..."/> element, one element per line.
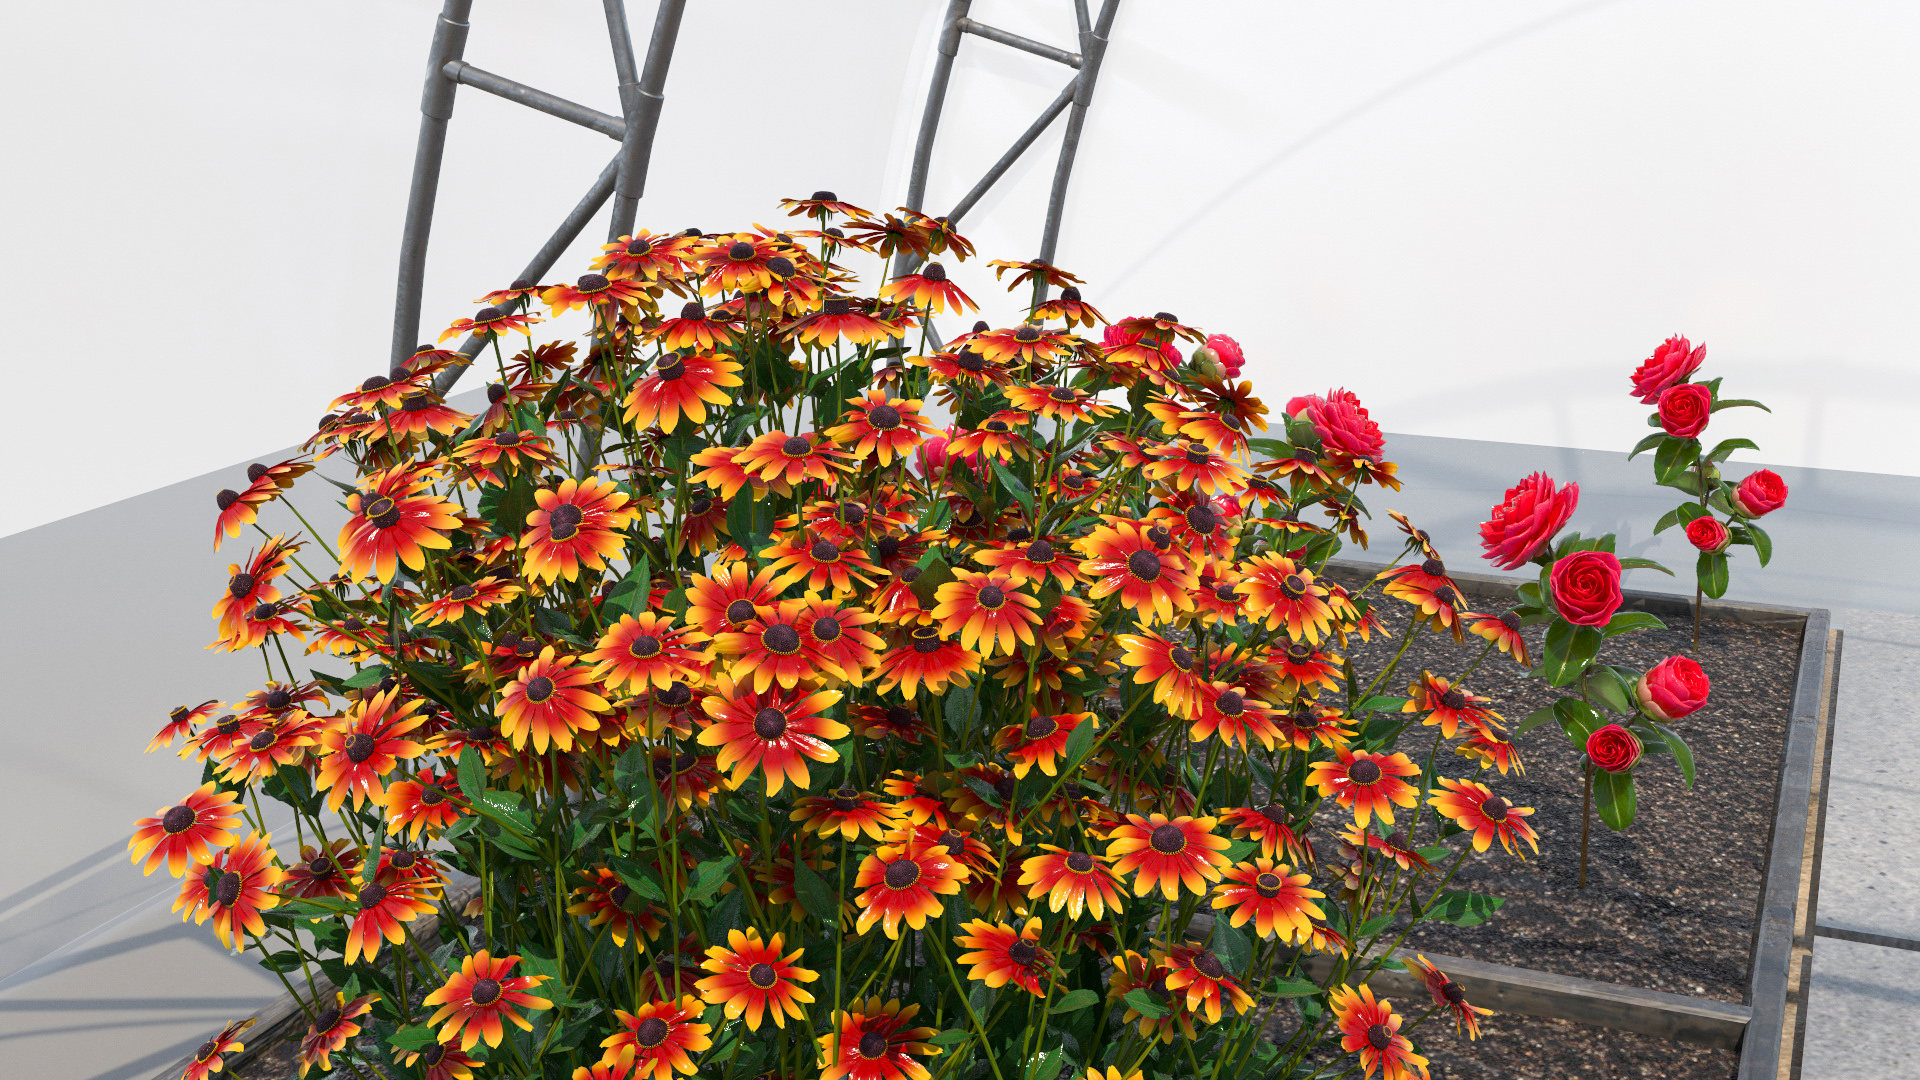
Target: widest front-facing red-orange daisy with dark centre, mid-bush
<point x="773" y="733"/>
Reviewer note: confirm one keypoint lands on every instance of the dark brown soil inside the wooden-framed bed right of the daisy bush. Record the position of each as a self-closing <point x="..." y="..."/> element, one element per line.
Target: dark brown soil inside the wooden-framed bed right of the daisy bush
<point x="1669" y="904"/>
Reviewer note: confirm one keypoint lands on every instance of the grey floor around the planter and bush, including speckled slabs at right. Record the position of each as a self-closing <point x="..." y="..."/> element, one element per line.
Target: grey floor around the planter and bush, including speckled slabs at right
<point x="105" y="637"/>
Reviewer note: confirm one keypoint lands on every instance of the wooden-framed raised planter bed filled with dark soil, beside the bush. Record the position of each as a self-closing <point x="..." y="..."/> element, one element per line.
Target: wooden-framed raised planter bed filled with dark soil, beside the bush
<point x="1694" y="931"/>
